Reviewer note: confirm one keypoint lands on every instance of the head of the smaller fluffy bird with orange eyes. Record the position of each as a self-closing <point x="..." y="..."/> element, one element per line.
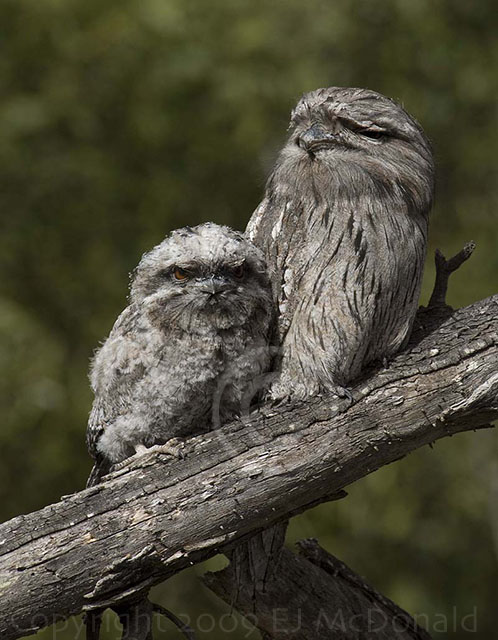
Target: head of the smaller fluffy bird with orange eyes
<point x="203" y="278"/>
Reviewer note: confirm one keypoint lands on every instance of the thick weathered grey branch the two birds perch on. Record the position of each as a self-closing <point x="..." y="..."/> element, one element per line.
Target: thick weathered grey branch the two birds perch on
<point x="162" y="515"/>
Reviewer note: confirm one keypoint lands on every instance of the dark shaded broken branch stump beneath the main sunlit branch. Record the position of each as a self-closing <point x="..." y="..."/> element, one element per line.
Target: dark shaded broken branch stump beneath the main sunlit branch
<point x="336" y="602"/>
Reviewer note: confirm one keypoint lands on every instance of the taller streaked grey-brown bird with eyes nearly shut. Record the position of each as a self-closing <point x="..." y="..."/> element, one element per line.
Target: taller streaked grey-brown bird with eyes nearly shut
<point x="343" y="225"/>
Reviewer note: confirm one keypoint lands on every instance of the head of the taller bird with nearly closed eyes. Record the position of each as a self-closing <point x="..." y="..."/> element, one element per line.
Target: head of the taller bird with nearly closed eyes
<point x="345" y="135"/>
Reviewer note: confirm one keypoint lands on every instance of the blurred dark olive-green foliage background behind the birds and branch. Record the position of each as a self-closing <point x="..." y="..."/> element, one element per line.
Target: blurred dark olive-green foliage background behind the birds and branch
<point x="121" y="120"/>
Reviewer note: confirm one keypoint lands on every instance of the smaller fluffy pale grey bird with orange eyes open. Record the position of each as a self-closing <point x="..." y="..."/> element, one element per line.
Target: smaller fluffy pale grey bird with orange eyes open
<point x="183" y="356"/>
